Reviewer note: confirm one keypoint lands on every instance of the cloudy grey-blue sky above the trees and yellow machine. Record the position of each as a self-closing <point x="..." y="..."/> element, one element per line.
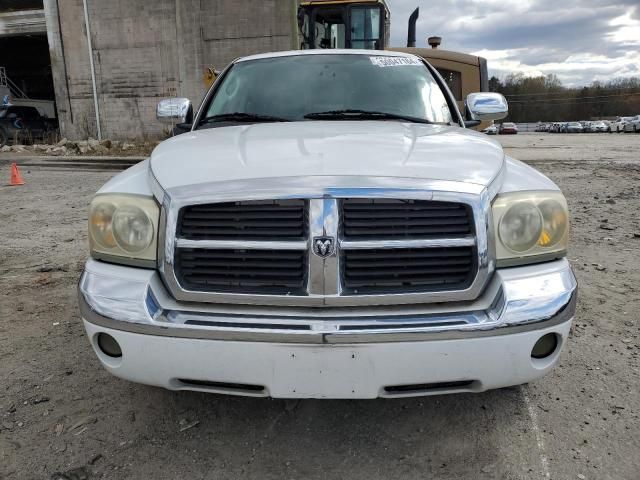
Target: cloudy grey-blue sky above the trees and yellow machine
<point x="578" y="40"/>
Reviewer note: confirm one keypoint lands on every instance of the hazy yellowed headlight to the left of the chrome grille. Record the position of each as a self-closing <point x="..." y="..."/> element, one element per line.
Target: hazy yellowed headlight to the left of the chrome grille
<point x="123" y="229"/>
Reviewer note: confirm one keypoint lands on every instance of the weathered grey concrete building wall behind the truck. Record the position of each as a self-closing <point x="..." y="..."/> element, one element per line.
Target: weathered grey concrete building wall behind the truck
<point x="144" y="51"/>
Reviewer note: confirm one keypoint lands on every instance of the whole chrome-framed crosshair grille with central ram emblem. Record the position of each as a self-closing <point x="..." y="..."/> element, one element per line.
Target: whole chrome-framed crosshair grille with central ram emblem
<point x="382" y="250"/>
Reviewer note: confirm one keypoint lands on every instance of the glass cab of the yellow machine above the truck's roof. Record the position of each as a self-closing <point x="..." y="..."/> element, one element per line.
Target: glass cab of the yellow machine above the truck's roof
<point x="344" y="24"/>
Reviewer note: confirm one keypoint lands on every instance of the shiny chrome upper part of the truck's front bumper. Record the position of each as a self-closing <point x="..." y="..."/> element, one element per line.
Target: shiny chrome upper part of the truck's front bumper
<point x="516" y="300"/>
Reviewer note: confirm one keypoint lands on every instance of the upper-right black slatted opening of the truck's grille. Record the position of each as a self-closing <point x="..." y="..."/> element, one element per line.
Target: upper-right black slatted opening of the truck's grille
<point x="406" y="219"/>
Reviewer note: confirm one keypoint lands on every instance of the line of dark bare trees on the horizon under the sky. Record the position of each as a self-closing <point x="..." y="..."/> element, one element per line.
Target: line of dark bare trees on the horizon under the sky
<point x="545" y="99"/>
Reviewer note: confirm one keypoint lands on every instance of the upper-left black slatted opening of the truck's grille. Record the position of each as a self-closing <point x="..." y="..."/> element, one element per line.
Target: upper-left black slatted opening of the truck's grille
<point x="264" y="220"/>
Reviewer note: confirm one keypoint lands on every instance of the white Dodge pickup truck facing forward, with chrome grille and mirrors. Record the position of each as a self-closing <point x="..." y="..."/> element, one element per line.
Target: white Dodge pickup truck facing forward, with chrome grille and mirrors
<point x="329" y="228"/>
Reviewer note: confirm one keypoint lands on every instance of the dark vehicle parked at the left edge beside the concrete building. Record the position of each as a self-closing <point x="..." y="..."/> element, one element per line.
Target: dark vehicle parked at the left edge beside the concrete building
<point x="23" y="124"/>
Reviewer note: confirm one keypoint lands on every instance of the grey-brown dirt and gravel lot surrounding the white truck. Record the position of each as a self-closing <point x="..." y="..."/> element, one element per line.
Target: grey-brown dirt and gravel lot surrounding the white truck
<point x="60" y="411"/>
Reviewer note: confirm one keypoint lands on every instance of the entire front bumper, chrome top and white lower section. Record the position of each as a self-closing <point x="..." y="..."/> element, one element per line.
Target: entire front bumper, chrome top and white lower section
<point x="329" y="352"/>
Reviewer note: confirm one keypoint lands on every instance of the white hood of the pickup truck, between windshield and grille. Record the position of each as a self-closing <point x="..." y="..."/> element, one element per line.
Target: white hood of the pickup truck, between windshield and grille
<point x="327" y="148"/>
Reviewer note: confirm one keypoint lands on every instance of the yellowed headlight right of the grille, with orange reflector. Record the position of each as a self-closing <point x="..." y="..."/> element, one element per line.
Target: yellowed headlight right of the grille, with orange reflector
<point x="530" y="227"/>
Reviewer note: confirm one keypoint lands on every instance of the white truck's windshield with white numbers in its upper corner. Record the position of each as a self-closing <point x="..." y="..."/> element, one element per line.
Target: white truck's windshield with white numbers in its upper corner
<point x="293" y="87"/>
